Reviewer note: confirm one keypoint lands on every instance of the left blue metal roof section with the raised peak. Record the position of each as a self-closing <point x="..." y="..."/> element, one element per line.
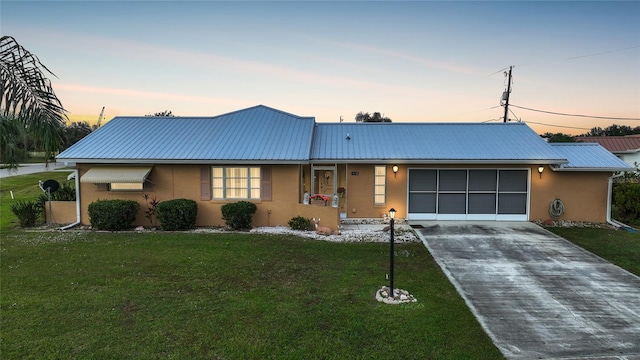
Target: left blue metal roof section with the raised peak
<point x="256" y="134"/>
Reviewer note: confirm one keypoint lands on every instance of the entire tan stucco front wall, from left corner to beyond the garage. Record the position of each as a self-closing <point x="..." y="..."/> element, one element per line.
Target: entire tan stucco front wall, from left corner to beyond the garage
<point x="584" y="194"/>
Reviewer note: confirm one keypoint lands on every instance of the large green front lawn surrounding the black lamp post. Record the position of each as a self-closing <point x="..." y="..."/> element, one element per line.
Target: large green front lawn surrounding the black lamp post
<point x="224" y="296"/>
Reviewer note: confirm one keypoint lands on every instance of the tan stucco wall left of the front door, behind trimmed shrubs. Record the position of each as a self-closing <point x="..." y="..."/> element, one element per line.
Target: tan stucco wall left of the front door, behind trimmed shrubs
<point x="183" y="181"/>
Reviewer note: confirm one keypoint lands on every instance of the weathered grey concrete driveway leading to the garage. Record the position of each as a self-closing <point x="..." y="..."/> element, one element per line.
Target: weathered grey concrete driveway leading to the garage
<point x="537" y="295"/>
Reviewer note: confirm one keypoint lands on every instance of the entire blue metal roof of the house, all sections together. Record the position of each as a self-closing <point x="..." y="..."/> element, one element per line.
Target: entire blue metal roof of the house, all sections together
<point x="261" y="134"/>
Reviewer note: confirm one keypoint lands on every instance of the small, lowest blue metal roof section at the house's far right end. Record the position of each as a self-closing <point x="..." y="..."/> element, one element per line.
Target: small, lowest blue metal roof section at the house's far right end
<point x="586" y="156"/>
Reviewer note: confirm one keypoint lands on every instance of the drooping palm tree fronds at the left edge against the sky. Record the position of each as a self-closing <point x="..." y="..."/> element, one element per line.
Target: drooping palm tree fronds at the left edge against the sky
<point x="28" y="104"/>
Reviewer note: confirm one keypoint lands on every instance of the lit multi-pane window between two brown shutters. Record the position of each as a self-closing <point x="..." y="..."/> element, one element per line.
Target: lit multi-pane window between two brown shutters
<point x="236" y="182"/>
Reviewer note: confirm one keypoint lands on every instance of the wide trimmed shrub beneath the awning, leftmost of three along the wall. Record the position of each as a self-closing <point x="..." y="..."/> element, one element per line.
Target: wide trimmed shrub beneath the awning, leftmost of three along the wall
<point x="113" y="215"/>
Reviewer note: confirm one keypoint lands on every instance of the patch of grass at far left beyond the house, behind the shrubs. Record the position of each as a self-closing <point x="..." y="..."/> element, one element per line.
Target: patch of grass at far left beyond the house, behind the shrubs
<point x="24" y="187"/>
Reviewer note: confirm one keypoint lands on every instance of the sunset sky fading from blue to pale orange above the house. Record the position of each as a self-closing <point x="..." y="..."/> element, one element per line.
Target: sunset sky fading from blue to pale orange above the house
<point x="418" y="61"/>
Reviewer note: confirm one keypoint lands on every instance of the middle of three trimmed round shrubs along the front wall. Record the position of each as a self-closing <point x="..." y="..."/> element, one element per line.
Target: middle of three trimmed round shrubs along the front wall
<point x="177" y="214"/>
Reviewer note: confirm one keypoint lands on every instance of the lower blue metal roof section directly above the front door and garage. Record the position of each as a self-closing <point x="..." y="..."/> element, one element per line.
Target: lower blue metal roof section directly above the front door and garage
<point x="431" y="143"/>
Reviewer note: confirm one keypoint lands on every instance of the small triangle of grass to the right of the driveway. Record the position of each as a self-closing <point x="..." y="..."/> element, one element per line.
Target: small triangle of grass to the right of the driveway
<point x="617" y="246"/>
